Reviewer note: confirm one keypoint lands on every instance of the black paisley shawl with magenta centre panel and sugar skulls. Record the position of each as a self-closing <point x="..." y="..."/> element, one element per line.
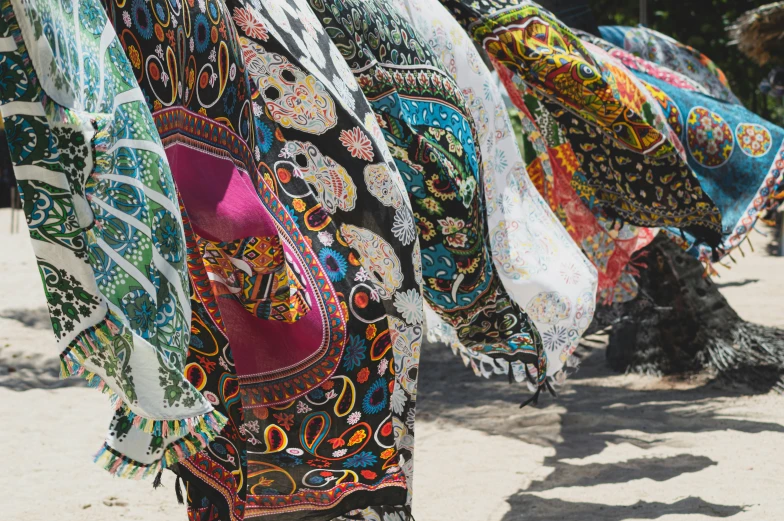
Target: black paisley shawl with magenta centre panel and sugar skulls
<point x="307" y="301"/>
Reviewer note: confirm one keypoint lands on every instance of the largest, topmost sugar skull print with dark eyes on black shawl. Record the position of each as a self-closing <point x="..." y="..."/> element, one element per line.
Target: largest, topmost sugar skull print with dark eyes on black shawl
<point x="294" y="98"/>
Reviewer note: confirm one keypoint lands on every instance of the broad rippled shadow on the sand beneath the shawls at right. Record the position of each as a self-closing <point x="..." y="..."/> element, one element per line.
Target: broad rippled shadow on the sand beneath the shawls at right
<point x="581" y="422"/>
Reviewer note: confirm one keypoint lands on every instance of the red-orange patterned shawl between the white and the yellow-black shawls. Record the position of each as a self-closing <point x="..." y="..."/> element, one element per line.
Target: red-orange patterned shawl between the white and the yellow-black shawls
<point x="554" y="166"/>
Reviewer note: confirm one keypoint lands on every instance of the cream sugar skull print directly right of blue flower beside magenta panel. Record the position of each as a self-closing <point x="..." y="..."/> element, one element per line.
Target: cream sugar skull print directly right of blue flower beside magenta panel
<point x="379" y="255"/>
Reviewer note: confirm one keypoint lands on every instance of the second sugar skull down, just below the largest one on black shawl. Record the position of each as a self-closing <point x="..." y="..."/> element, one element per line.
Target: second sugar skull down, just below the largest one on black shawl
<point x="333" y="187"/>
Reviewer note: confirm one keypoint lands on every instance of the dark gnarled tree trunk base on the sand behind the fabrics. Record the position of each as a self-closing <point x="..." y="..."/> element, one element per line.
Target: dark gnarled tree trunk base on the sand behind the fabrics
<point x="681" y="323"/>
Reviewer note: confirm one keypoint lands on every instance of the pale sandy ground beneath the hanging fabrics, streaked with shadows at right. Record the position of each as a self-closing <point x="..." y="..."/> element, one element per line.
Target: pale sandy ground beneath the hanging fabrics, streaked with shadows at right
<point x="611" y="447"/>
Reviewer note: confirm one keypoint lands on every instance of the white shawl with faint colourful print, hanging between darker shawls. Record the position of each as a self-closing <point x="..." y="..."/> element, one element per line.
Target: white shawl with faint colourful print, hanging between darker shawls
<point x="537" y="261"/>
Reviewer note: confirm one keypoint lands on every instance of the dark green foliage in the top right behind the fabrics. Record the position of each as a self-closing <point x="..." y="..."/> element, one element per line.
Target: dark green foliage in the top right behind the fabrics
<point x="701" y="24"/>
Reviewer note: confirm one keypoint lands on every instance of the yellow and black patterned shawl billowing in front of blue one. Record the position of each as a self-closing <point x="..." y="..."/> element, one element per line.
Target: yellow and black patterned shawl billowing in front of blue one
<point x="635" y="170"/>
